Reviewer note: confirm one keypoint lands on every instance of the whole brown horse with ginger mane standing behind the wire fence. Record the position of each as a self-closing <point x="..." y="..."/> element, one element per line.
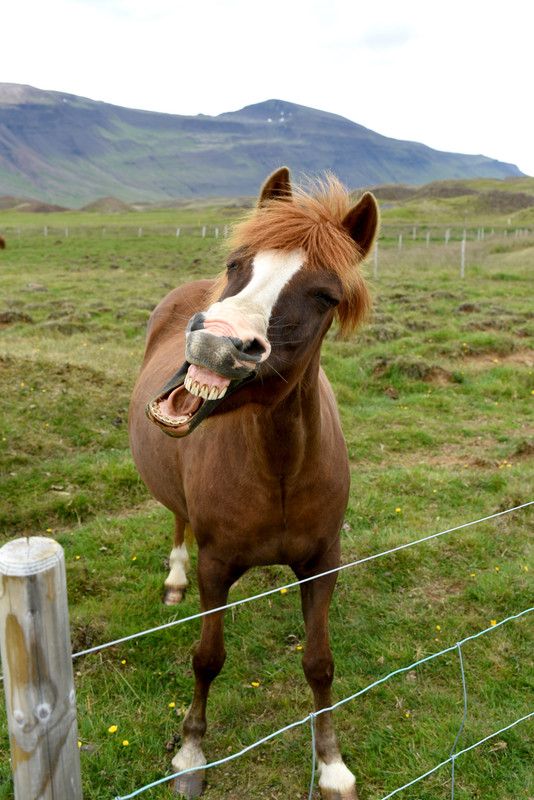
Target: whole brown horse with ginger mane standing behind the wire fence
<point x="264" y="478"/>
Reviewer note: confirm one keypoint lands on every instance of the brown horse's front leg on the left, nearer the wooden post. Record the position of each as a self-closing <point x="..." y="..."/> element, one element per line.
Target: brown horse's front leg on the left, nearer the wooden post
<point x="214" y="582"/>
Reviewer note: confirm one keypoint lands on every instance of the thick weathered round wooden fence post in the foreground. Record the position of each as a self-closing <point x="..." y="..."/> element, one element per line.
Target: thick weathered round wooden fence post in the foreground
<point x="37" y="666"/>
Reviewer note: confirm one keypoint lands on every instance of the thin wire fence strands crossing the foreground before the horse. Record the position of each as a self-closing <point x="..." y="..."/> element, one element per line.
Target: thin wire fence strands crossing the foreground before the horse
<point x="310" y="718"/>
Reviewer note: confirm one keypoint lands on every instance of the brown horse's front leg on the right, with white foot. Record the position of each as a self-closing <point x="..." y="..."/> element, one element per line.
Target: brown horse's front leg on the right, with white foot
<point x="335" y="779"/>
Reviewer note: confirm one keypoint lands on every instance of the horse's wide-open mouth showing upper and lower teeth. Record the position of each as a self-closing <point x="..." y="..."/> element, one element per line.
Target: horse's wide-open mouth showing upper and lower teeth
<point x="189" y="397"/>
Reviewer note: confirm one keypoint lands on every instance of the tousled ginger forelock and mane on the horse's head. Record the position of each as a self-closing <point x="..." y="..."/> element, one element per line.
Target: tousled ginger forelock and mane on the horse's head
<point x="311" y="220"/>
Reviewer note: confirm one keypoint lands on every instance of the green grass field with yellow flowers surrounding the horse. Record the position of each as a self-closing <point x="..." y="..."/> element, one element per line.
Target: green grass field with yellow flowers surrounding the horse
<point x="437" y="402"/>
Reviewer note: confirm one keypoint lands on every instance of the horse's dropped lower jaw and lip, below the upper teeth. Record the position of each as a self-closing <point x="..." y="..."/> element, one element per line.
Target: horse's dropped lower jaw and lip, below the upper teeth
<point x="177" y="411"/>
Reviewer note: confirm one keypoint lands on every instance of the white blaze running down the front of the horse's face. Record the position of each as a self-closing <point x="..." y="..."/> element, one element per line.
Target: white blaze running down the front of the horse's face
<point x="251" y="308"/>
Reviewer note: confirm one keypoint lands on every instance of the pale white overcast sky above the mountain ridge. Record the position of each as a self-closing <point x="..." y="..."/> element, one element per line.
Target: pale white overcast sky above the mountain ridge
<point x="456" y="76"/>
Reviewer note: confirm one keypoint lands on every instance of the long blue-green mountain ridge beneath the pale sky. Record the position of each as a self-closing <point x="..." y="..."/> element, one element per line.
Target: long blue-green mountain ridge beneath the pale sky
<point x="64" y="149"/>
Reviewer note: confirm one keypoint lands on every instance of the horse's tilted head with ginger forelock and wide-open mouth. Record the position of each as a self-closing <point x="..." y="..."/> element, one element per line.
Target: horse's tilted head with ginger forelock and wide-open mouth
<point x="294" y="267"/>
